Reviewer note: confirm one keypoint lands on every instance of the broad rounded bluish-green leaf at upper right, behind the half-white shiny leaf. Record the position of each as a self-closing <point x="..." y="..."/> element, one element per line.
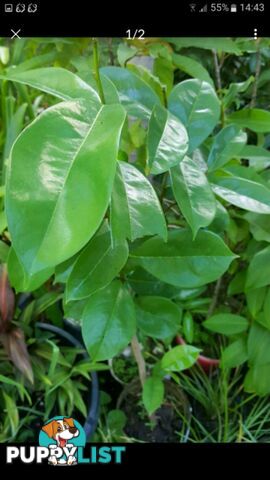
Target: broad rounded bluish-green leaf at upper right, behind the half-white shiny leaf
<point x="196" y="104"/>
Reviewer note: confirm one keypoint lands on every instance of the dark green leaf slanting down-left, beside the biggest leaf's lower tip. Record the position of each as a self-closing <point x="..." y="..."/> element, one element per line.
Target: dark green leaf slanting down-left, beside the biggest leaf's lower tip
<point x="96" y="267"/>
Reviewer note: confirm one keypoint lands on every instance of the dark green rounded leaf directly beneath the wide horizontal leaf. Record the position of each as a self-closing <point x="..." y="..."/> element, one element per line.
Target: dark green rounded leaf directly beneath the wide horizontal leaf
<point x="158" y="317"/>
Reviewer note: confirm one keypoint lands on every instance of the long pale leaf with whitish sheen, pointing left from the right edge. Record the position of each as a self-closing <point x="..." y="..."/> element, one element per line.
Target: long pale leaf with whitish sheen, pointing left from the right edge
<point x="242" y="192"/>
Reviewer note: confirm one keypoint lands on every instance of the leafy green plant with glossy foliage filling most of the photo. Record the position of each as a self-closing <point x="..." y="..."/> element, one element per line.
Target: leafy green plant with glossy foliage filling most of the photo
<point x="145" y="195"/>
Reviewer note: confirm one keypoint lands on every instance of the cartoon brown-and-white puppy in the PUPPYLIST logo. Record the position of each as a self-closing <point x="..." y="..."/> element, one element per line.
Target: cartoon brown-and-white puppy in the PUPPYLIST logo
<point x="62" y="431"/>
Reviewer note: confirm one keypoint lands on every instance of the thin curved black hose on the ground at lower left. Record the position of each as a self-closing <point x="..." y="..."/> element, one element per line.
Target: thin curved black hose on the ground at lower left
<point x="93" y="411"/>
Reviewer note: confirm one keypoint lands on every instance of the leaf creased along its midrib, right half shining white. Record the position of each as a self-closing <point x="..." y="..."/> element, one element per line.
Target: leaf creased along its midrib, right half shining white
<point x="167" y="141"/>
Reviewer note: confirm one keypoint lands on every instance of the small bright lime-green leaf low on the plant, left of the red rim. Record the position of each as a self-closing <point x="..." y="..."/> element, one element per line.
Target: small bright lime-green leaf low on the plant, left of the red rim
<point x="179" y="358"/>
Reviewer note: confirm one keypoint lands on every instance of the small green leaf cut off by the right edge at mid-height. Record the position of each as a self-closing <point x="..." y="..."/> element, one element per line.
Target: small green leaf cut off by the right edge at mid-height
<point x="258" y="274"/>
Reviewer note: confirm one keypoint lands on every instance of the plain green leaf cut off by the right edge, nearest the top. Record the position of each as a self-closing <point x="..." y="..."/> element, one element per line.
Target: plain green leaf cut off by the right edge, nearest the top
<point x="255" y="119"/>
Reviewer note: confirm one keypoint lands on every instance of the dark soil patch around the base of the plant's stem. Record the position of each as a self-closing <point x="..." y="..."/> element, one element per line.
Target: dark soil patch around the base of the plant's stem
<point x="167" y="420"/>
